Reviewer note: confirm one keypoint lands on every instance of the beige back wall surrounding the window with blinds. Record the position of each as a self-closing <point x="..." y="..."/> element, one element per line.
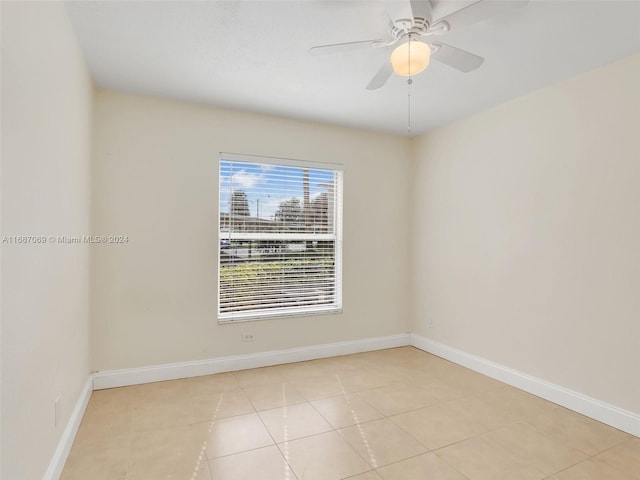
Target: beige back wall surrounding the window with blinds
<point x="155" y="179"/>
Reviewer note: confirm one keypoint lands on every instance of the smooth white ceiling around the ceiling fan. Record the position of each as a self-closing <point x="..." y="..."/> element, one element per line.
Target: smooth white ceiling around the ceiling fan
<point x="252" y="55"/>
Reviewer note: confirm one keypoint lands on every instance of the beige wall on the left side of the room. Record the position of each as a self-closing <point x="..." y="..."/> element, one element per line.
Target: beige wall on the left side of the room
<point x="46" y="116"/>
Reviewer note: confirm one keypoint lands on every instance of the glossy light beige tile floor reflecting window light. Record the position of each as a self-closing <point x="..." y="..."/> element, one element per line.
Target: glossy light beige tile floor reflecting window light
<point x="397" y="414"/>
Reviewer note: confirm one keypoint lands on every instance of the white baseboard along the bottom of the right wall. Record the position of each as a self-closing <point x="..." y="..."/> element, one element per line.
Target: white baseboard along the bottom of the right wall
<point x="609" y="414"/>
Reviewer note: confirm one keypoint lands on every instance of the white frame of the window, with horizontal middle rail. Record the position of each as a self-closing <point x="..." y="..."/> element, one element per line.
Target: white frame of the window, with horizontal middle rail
<point x="309" y="310"/>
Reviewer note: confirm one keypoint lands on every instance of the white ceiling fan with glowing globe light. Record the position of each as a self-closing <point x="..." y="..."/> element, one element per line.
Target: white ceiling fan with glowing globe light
<point x="412" y="55"/>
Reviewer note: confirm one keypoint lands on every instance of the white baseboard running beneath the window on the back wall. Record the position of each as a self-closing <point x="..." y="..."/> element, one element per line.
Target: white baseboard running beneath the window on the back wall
<point x="134" y="376"/>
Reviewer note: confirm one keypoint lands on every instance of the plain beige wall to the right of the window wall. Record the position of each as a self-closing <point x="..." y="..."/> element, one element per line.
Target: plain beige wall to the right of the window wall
<point x="526" y="238"/>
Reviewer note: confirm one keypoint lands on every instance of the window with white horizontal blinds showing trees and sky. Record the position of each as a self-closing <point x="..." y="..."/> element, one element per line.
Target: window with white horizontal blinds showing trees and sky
<point x="280" y="238"/>
